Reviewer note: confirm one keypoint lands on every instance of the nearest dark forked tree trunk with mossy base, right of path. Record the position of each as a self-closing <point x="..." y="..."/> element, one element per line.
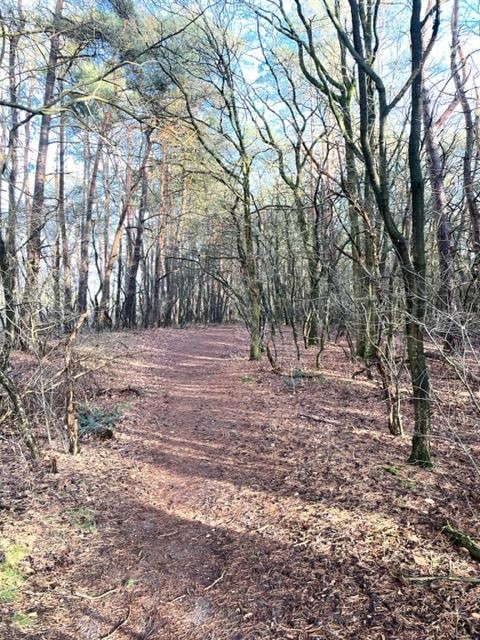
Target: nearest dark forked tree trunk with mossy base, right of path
<point x="413" y="270"/>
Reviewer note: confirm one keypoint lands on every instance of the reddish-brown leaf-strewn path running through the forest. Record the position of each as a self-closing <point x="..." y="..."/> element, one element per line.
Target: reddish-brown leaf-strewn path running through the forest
<point x="219" y="507"/>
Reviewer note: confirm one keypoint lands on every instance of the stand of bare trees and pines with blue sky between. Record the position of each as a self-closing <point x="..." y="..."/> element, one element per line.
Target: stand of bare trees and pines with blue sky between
<point x="168" y="164"/>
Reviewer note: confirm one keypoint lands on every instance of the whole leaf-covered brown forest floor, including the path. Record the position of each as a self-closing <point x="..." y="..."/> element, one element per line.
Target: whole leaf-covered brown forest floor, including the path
<point x="237" y="504"/>
